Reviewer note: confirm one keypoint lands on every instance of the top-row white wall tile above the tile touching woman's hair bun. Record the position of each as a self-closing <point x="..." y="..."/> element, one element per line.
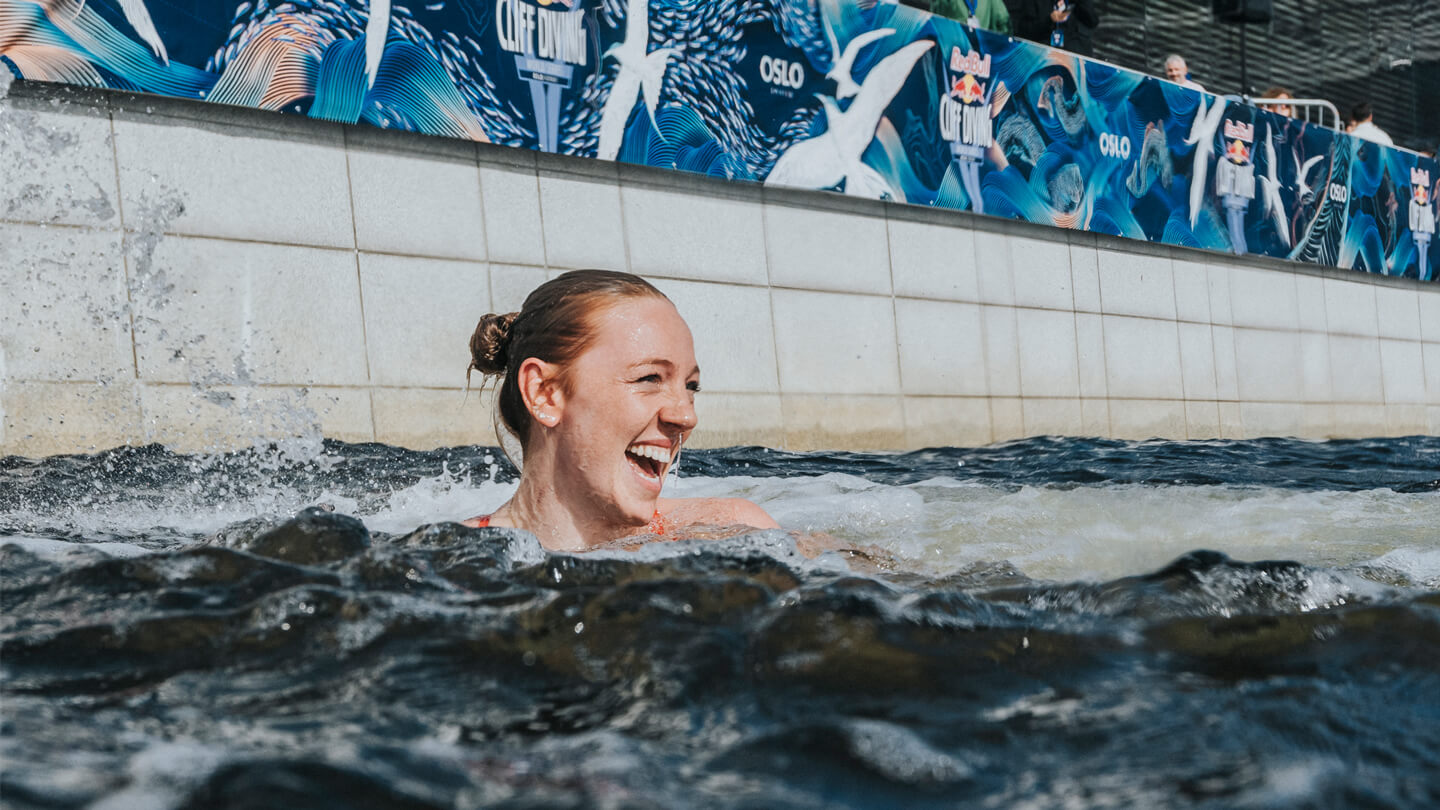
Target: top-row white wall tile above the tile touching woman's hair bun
<point x="417" y="205"/>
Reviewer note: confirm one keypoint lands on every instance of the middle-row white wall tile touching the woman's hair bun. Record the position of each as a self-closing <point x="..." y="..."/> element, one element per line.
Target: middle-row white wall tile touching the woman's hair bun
<point x="430" y="351"/>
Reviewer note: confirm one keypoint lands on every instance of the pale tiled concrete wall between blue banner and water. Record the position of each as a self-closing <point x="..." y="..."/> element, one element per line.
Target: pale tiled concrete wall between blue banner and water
<point x="205" y="277"/>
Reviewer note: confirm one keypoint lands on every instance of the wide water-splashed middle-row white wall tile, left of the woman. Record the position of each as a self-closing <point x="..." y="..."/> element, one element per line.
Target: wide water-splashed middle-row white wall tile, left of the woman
<point x="224" y="312"/>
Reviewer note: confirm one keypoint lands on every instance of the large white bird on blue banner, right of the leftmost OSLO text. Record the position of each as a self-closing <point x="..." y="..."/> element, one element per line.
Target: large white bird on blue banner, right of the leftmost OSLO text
<point x="836" y="155"/>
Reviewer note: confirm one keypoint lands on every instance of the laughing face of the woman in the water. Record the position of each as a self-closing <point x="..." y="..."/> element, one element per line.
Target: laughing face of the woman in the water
<point x="627" y="406"/>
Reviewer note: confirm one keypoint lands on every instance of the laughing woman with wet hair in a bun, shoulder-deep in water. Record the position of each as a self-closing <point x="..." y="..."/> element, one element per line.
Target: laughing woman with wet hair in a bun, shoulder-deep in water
<point x="598" y="381"/>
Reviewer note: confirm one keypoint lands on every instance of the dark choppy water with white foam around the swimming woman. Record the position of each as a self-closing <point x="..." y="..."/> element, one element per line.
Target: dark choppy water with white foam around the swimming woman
<point x="182" y="632"/>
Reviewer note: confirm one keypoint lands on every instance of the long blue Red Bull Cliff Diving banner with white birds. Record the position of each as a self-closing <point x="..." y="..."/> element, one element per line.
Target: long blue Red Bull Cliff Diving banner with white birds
<point x="868" y="100"/>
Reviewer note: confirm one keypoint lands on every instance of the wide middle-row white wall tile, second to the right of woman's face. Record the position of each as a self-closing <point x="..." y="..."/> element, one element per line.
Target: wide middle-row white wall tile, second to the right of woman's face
<point x="836" y="344"/>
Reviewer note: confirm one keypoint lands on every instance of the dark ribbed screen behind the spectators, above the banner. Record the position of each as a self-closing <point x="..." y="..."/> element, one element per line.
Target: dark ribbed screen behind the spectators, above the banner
<point x="1346" y="51"/>
